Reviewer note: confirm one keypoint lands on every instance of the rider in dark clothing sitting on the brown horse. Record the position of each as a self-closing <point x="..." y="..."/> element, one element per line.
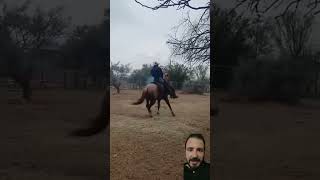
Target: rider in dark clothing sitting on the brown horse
<point x="157" y="74"/>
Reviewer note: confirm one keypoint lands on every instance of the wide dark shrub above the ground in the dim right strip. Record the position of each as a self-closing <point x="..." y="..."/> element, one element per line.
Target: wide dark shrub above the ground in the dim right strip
<point x="268" y="79"/>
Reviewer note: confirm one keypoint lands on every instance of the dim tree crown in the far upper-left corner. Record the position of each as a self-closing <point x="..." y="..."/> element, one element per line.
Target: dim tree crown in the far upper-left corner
<point x="34" y="30"/>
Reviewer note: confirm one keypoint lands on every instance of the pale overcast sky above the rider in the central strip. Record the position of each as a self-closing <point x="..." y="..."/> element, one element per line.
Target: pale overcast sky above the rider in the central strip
<point x="138" y="35"/>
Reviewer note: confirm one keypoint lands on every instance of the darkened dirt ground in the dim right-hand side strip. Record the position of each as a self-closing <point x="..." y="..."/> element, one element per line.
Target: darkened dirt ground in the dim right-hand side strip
<point x="264" y="141"/>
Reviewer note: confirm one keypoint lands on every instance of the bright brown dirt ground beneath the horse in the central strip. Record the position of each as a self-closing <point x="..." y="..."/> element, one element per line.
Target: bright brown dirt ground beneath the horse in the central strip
<point x="153" y="148"/>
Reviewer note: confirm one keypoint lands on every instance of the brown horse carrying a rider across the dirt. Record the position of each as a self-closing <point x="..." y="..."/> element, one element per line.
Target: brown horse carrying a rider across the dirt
<point x="152" y="93"/>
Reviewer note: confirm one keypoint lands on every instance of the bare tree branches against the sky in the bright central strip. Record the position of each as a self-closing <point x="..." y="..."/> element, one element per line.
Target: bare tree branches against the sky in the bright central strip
<point x="194" y="44"/>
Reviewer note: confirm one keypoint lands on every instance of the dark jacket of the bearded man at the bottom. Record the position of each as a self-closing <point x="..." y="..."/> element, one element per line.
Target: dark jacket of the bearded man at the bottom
<point x="200" y="173"/>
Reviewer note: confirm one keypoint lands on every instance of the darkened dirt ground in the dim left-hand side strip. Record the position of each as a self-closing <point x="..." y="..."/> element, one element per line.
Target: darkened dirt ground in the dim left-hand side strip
<point x="34" y="137"/>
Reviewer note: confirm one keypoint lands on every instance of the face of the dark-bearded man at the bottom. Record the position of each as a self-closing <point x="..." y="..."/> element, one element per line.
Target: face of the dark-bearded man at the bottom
<point x="194" y="152"/>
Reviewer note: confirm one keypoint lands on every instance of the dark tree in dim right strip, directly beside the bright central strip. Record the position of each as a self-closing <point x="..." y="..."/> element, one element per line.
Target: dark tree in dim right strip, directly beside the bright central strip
<point x="231" y="35"/>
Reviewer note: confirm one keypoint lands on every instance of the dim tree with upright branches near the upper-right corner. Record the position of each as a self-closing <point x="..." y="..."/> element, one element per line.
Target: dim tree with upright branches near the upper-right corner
<point x="293" y="33"/>
